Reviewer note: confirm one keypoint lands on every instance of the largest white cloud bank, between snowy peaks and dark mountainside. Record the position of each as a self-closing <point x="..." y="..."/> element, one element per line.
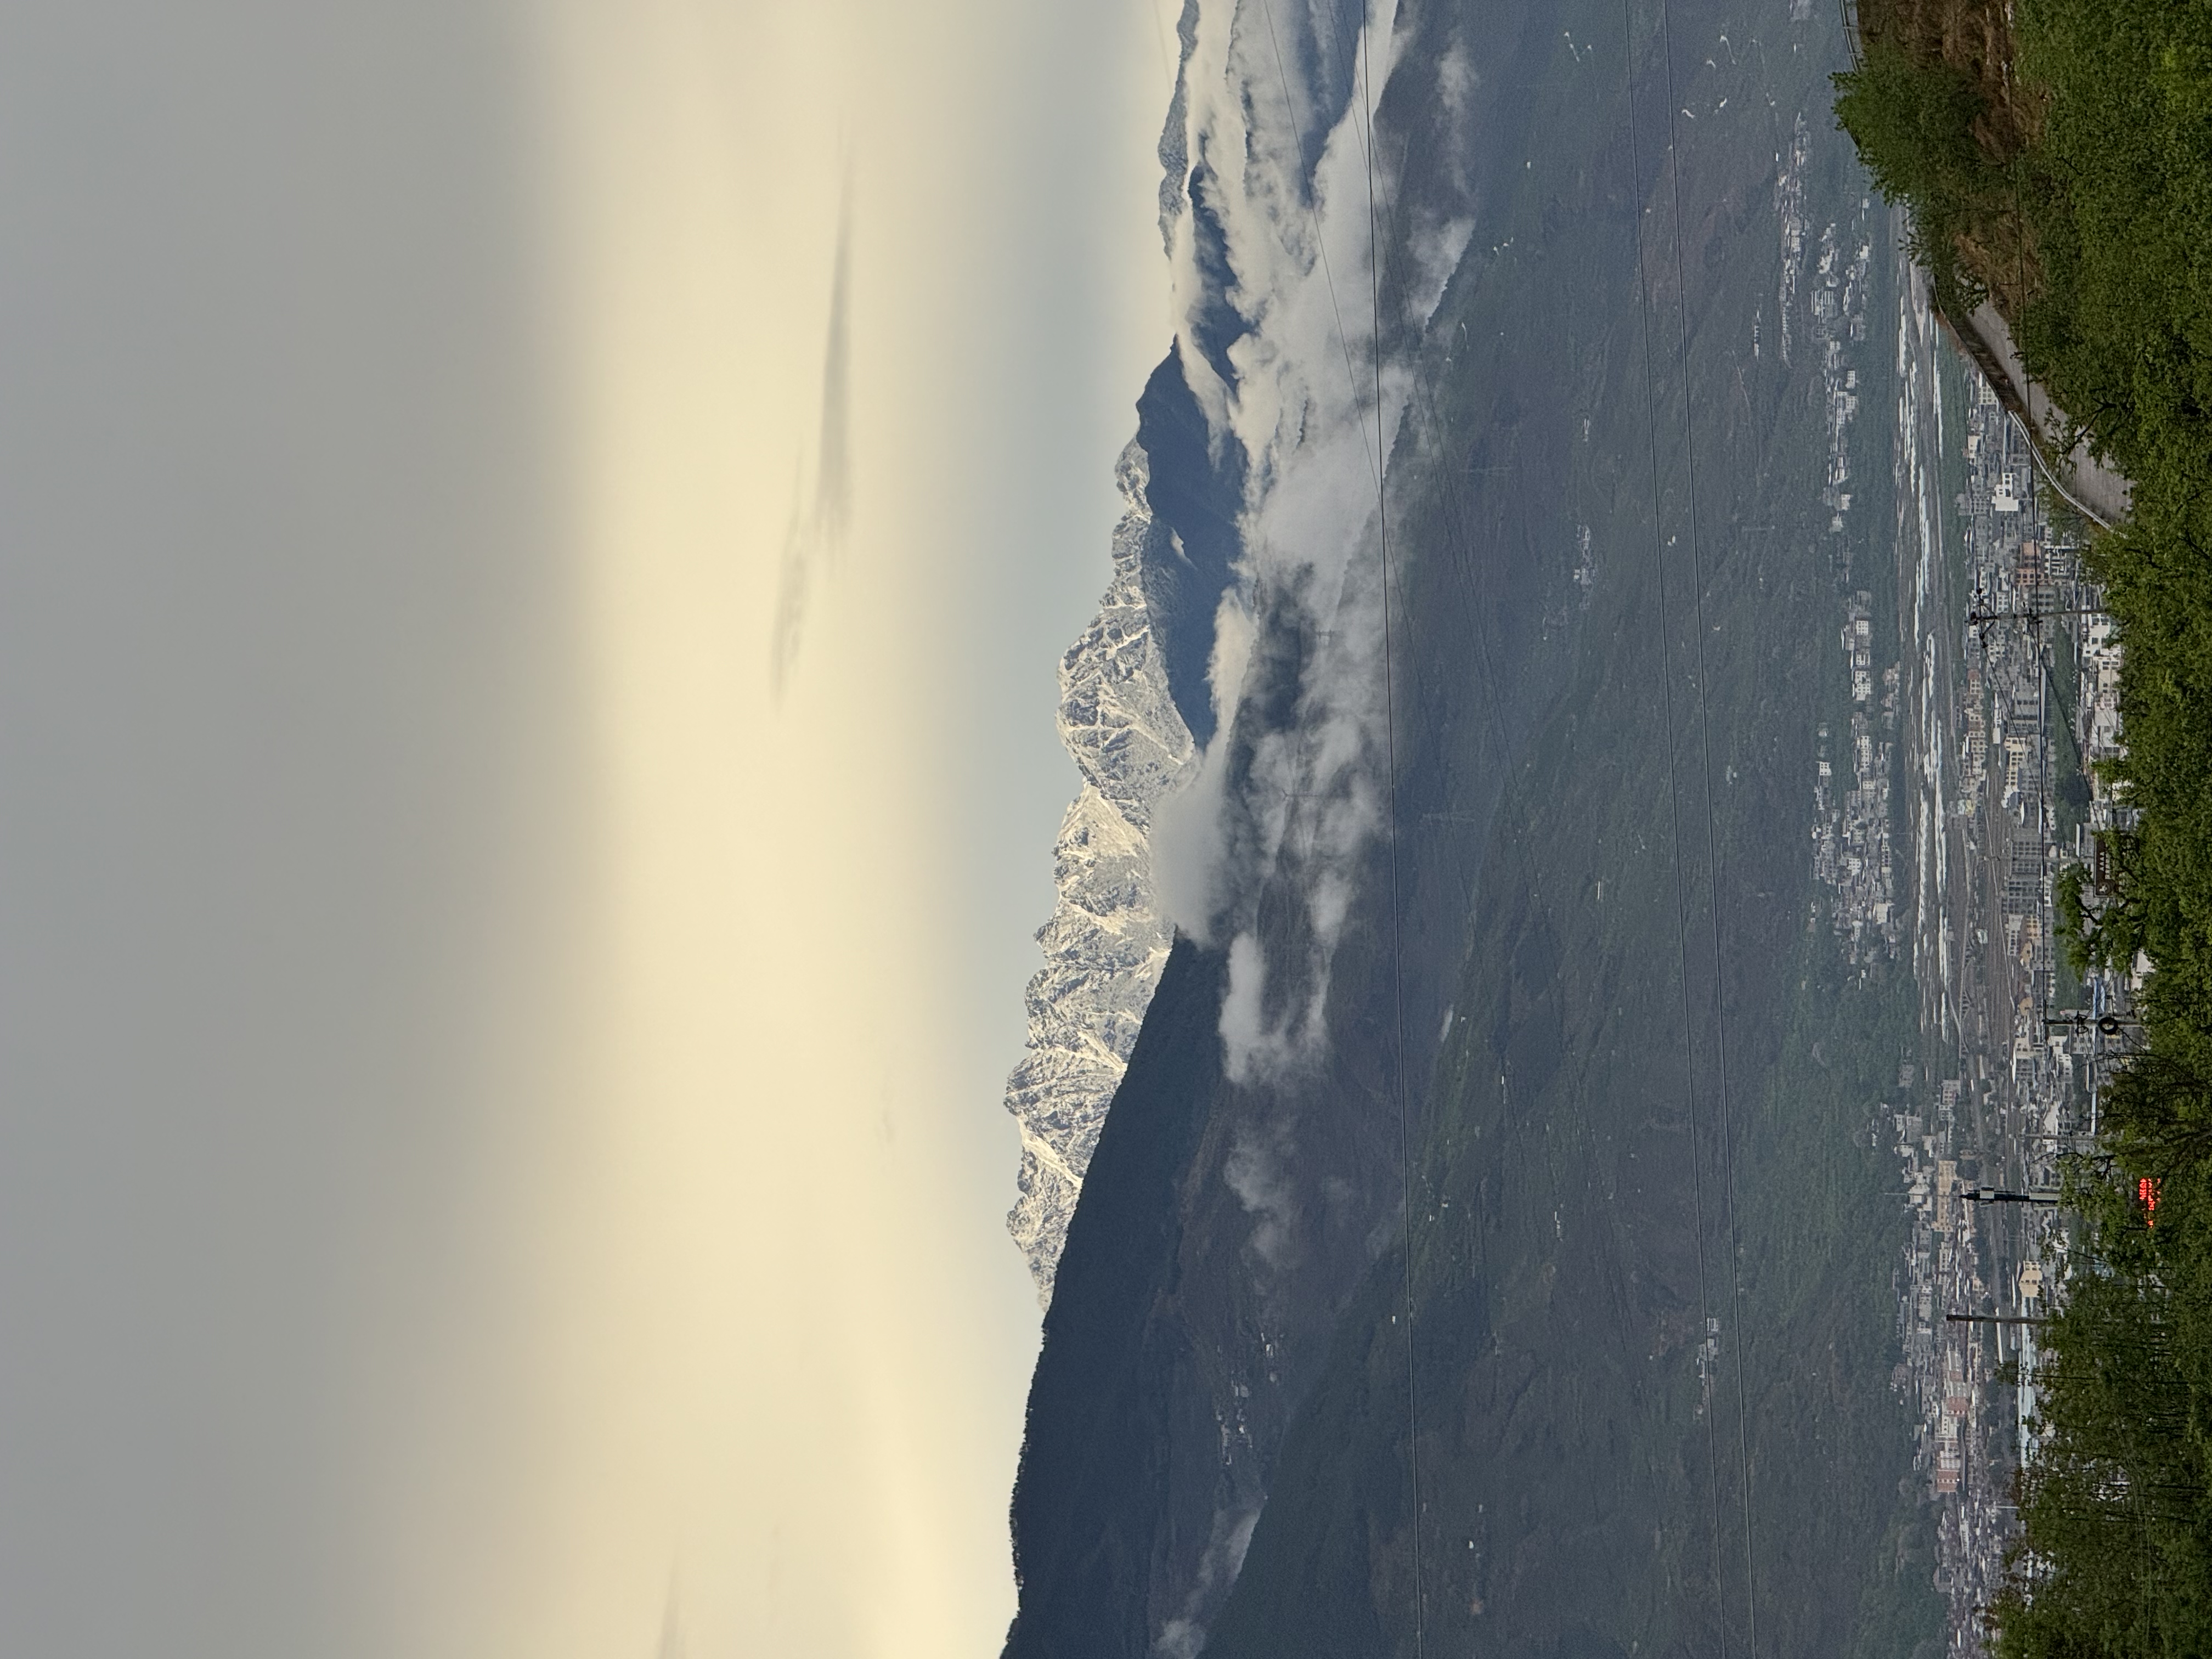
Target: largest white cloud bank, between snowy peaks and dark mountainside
<point x="1311" y="410"/>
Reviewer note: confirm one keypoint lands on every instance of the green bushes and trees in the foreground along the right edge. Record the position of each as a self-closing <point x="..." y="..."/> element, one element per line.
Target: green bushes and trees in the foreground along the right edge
<point x="2056" y="158"/>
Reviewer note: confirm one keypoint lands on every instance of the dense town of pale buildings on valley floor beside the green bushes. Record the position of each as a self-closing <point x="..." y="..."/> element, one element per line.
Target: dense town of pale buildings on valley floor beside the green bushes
<point x="2021" y="724"/>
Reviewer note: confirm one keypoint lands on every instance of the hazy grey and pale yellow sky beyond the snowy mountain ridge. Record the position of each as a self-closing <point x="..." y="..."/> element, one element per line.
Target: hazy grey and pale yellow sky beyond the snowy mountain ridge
<point x="534" y="543"/>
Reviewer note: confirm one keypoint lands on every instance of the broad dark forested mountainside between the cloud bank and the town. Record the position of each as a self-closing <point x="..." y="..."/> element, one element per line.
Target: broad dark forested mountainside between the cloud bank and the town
<point x="1649" y="1373"/>
